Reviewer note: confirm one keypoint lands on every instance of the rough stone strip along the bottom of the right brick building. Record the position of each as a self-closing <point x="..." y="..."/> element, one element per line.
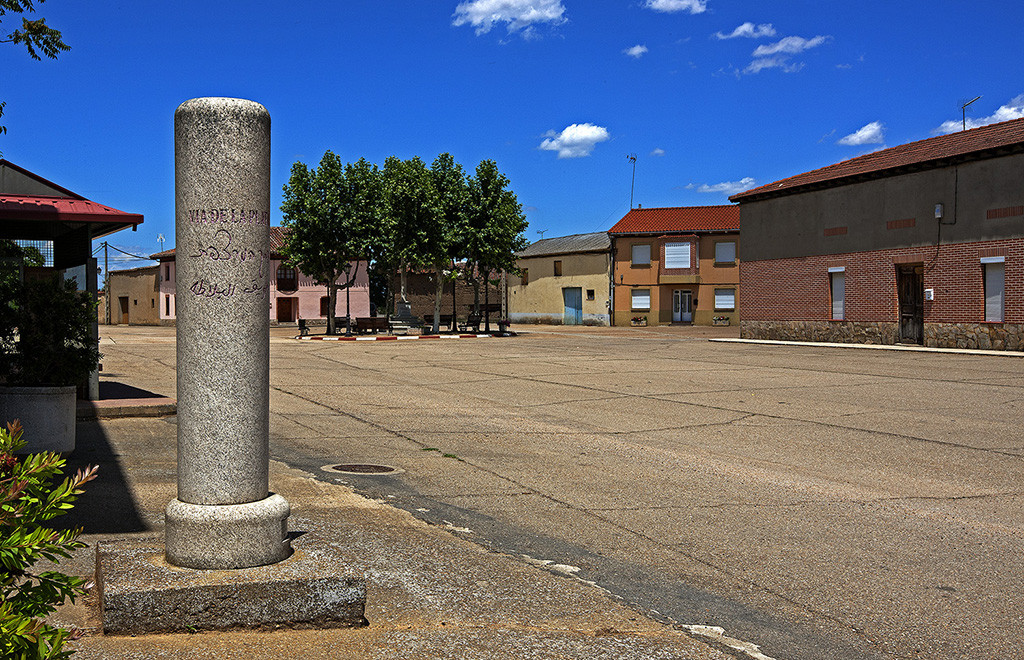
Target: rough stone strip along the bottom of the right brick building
<point x="999" y="337"/>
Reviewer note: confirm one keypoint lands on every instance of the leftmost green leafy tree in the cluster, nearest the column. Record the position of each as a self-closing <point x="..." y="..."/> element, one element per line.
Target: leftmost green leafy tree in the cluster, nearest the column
<point x="332" y="216"/>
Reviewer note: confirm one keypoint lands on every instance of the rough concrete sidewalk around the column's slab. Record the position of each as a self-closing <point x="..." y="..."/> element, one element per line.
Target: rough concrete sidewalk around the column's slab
<point x="431" y="595"/>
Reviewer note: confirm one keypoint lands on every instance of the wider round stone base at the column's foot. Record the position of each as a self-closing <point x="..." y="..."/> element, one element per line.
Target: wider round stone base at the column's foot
<point x="228" y="537"/>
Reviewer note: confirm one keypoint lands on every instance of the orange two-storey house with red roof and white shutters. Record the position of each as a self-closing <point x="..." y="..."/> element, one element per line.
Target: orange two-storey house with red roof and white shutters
<point x="676" y="266"/>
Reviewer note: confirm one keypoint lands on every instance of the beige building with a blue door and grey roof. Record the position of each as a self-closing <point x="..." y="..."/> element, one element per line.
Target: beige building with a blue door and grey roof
<point x="564" y="281"/>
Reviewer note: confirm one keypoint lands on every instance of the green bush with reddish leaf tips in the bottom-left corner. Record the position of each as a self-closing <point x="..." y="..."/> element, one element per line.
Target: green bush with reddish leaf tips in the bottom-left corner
<point x="27" y="501"/>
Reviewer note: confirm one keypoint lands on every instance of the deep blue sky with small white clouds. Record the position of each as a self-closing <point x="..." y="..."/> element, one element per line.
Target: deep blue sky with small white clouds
<point x="711" y="96"/>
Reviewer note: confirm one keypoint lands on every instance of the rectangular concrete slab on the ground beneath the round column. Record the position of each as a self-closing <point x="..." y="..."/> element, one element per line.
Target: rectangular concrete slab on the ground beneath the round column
<point x="140" y="593"/>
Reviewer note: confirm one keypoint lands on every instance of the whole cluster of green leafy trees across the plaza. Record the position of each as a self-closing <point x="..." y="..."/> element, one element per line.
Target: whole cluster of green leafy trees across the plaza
<point x="403" y="216"/>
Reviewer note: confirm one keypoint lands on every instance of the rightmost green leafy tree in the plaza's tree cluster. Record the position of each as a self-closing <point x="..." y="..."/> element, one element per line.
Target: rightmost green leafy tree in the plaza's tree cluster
<point x="495" y="227"/>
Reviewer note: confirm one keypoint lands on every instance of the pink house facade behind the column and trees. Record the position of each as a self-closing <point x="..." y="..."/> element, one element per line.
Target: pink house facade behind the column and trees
<point x="293" y="295"/>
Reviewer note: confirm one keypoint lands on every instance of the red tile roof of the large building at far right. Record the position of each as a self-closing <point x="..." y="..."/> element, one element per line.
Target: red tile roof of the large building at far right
<point x="921" y="155"/>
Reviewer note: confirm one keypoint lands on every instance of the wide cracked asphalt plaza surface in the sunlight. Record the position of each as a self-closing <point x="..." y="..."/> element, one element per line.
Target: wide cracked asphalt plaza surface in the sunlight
<point x="816" y="501"/>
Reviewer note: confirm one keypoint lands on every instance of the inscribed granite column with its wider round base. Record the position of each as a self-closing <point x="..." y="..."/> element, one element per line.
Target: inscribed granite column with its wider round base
<point x="224" y="516"/>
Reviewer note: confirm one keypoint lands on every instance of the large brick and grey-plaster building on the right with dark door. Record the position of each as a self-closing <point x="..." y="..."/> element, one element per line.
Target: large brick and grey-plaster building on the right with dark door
<point x="922" y="243"/>
